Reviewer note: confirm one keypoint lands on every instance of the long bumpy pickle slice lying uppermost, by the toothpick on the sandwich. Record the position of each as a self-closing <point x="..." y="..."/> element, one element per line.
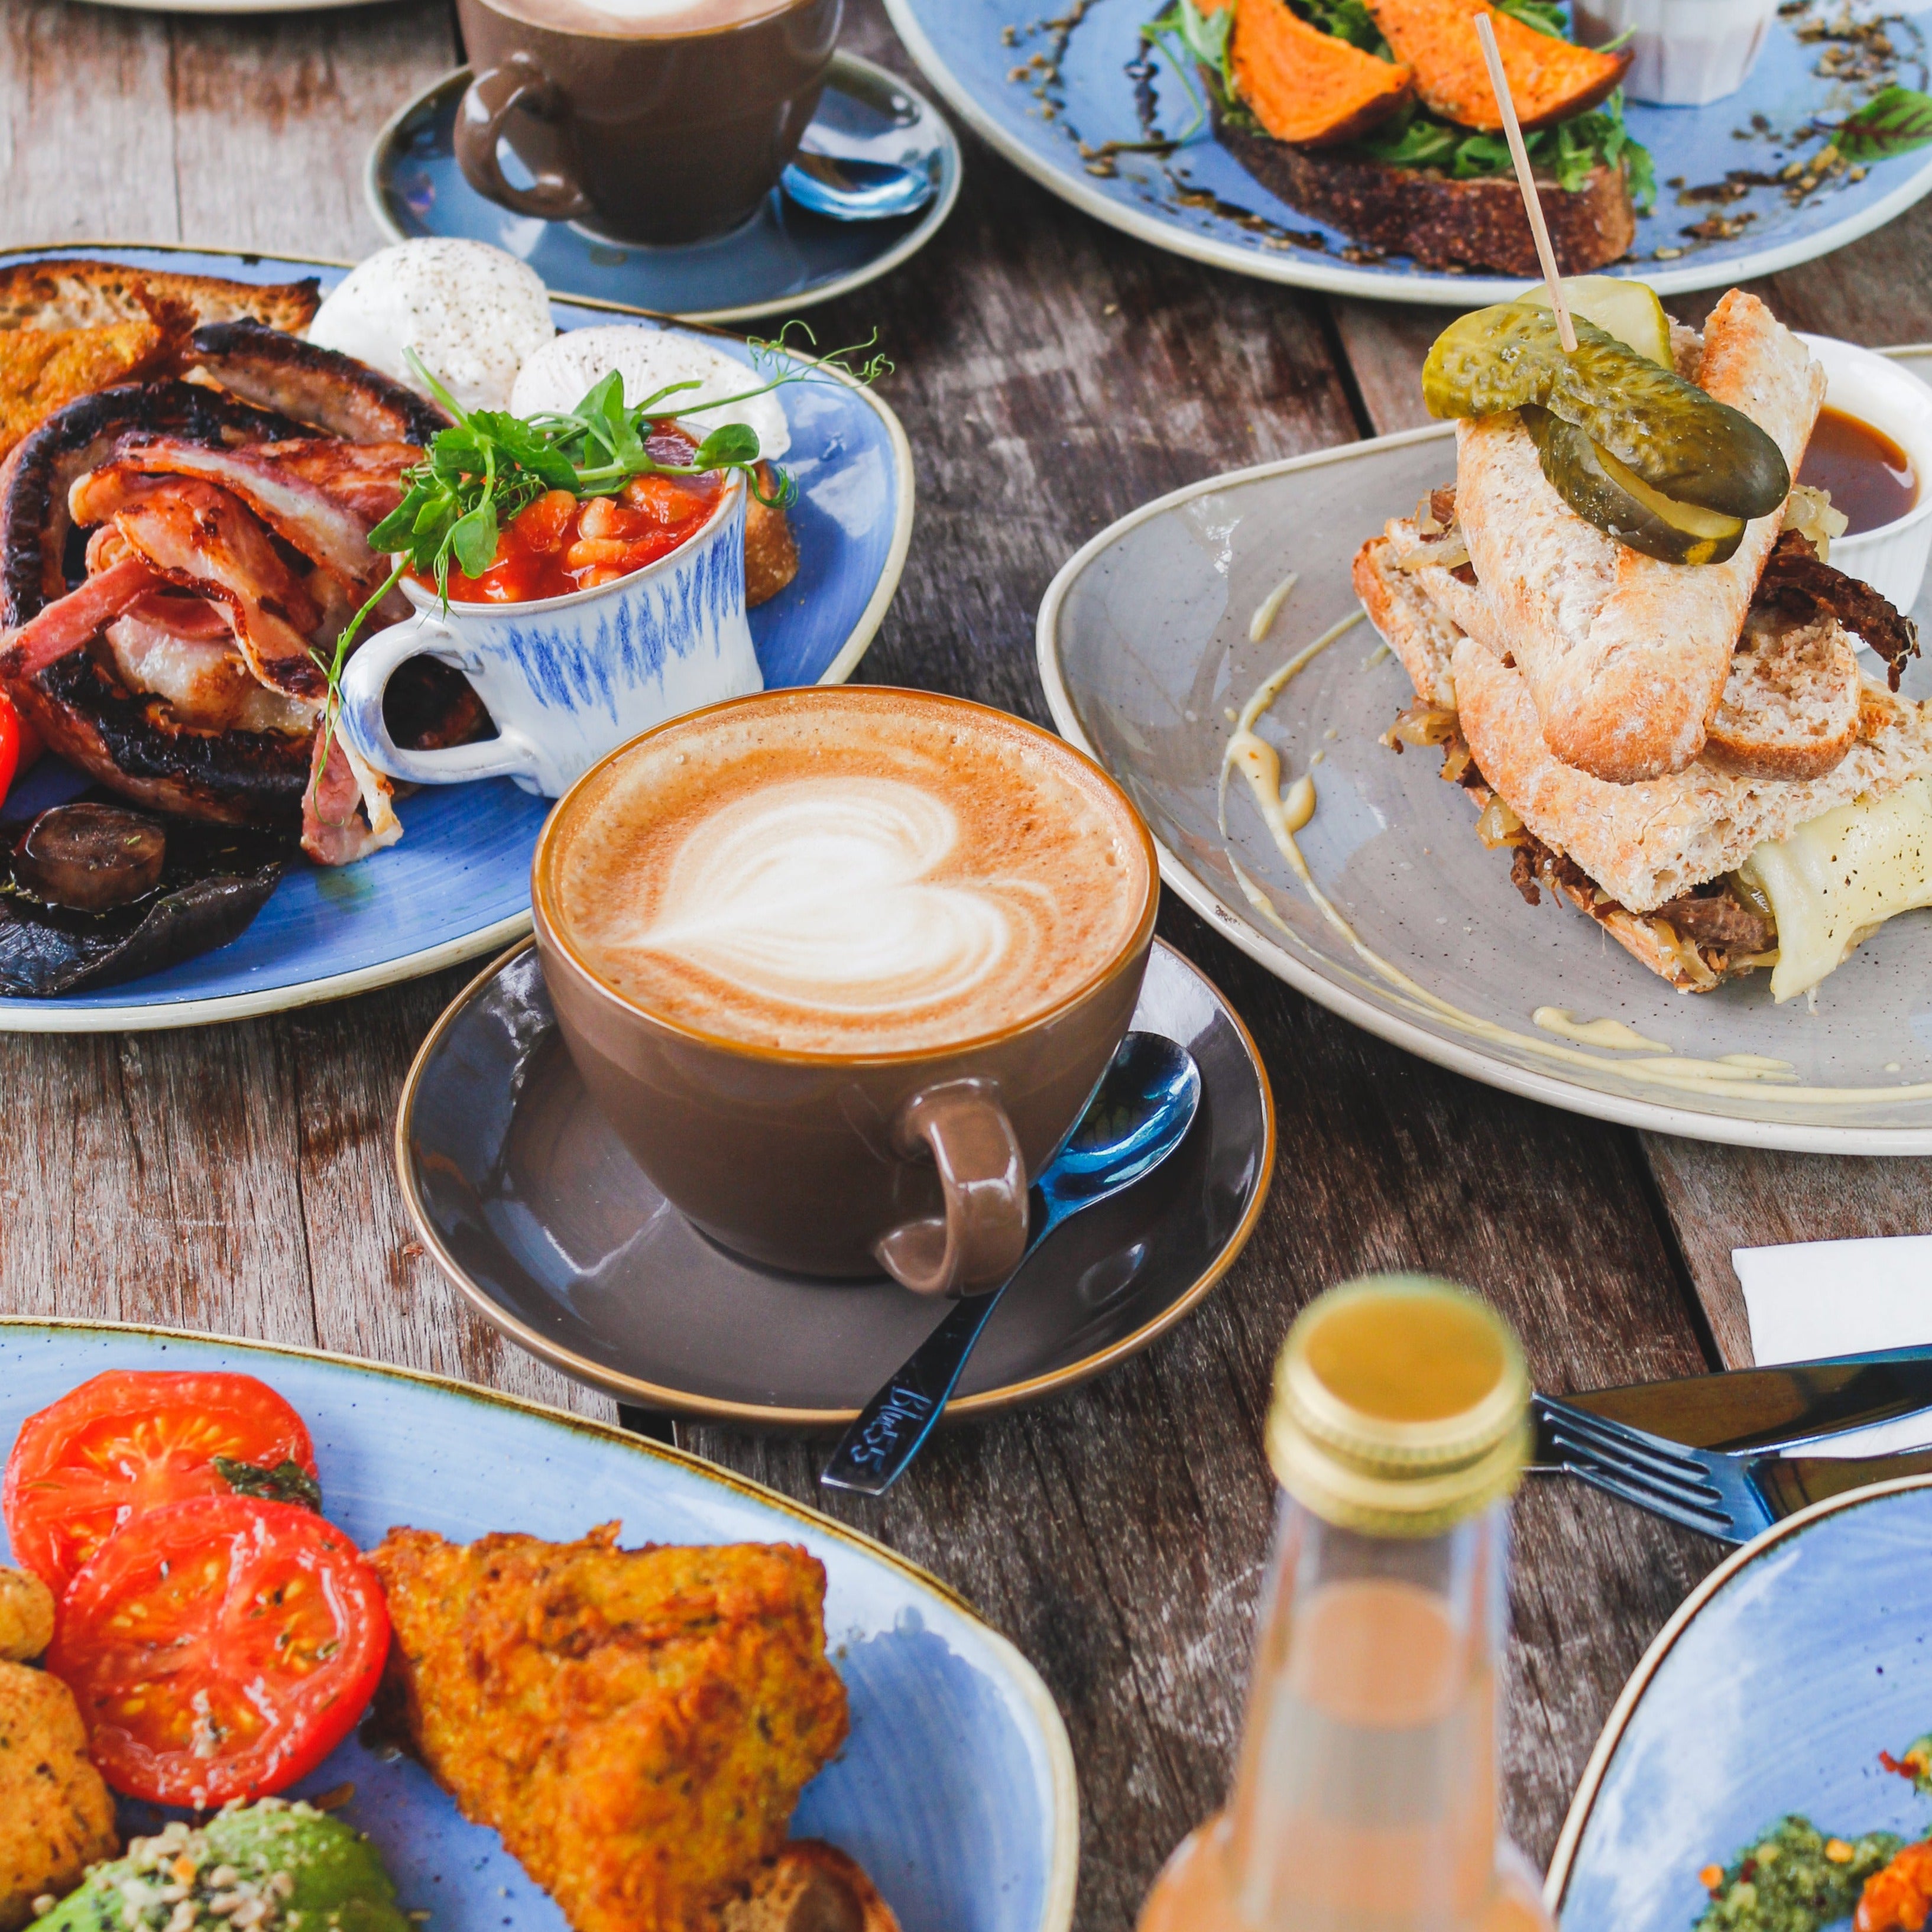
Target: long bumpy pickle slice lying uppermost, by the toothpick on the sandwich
<point x="1668" y="432"/>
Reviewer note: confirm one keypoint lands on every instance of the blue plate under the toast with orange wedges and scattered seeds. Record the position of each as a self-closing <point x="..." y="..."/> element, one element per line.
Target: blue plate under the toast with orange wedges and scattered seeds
<point x="1201" y="202"/>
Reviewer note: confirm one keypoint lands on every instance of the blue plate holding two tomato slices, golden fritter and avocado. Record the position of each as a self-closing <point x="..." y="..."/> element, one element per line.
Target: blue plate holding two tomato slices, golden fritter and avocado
<point x="957" y="1784"/>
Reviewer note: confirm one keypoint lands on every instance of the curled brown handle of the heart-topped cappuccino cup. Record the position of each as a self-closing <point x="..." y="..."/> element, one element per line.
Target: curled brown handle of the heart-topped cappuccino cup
<point x="982" y="1236"/>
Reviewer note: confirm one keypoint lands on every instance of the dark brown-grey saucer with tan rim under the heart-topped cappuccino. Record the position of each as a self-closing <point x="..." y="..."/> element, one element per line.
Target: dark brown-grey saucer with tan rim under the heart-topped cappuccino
<point x="552" y="1234"/>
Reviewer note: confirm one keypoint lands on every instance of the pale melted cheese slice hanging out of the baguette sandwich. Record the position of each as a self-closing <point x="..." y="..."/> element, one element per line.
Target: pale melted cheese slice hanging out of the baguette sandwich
<point x="1840" y="878"/>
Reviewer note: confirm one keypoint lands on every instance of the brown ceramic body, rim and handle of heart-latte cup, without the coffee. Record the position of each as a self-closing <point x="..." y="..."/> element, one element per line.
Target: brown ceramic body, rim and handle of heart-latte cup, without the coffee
<point x="843" y="1164"/>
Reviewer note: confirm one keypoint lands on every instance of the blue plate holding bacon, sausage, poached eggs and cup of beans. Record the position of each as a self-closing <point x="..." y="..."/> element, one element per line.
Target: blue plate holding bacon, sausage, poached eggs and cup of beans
<point x="459" y="882"/>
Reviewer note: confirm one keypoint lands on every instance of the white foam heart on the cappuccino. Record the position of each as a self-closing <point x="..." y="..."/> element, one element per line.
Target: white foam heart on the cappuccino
<point x="820" y="894"/>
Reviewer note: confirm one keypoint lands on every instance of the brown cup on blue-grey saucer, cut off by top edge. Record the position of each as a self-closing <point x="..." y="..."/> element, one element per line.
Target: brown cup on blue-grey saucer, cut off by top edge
<point x="648" y="121"/>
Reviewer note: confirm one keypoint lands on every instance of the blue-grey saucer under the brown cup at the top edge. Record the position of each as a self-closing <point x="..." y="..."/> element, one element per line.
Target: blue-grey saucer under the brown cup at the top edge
<point x="781" y="262"/>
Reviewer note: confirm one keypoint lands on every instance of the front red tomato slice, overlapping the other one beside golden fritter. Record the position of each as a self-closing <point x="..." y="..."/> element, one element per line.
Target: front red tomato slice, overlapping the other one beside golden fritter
<point x="221" y="1649"/>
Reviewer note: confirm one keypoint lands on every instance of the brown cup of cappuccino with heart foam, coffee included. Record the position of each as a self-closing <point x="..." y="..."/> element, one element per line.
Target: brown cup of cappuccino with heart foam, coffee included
<point x="843" y="967"/>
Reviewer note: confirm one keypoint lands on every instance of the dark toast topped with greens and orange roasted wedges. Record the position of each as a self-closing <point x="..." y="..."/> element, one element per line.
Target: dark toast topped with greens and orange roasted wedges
<point x="1378" y="119"/>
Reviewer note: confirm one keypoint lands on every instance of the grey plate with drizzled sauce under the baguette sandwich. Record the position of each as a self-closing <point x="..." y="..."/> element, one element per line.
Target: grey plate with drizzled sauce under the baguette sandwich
<point x="1149" y="650"/>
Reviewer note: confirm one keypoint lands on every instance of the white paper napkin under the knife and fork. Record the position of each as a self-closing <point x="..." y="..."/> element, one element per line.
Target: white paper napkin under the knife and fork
<point x="1842" y="1297"/>
